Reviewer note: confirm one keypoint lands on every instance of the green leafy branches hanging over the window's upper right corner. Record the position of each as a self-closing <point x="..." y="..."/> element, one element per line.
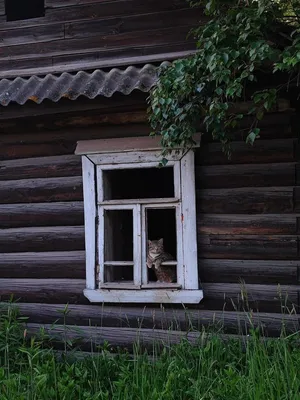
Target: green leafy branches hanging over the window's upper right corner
<point x="241" y="40"/>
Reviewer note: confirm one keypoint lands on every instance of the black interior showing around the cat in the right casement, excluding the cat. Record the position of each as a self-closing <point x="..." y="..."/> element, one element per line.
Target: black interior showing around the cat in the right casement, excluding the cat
<point x="161" y="223"/>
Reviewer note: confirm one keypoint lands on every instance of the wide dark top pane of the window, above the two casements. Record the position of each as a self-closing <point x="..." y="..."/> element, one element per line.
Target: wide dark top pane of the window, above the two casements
<point x="138" y="183"/>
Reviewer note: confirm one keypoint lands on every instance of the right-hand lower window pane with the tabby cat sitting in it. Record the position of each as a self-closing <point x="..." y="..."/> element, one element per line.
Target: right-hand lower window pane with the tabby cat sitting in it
<point x="162" y="242"/>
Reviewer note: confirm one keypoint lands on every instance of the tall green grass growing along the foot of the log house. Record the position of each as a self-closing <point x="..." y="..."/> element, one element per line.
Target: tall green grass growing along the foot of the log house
<point x="248" y="369"/>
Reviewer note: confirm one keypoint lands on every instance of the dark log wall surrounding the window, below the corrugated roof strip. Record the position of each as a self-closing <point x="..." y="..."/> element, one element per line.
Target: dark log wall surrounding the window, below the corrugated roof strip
<point x="248" y="213"/>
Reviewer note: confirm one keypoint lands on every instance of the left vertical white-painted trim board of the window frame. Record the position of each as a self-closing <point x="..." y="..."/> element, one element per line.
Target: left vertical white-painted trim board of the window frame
<point x="89" y="195"/>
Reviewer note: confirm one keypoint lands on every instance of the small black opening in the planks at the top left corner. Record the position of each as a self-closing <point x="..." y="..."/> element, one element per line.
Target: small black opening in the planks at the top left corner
<point x="24" y="9"/>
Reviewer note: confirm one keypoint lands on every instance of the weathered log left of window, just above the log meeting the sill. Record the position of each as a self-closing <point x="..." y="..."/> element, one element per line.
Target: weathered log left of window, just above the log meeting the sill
<point x="53" y="264"/>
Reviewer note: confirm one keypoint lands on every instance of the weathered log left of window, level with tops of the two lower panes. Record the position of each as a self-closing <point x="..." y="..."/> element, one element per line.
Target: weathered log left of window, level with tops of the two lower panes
<point x="41" y="214"/>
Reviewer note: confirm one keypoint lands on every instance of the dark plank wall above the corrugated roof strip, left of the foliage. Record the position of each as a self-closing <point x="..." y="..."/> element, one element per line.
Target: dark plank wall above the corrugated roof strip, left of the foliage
<point x="83" y="34"/>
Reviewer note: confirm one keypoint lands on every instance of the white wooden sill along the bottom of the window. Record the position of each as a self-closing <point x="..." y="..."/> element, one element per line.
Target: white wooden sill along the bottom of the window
<point x="162" y="296"/>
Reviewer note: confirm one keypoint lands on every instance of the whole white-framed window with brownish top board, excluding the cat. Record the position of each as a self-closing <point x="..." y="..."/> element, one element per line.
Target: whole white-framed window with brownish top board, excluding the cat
<point x="128" y="203"/>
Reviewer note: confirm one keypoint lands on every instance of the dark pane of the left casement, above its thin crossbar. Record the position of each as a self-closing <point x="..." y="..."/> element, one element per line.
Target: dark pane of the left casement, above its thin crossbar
<point x="118" y="235"/>
